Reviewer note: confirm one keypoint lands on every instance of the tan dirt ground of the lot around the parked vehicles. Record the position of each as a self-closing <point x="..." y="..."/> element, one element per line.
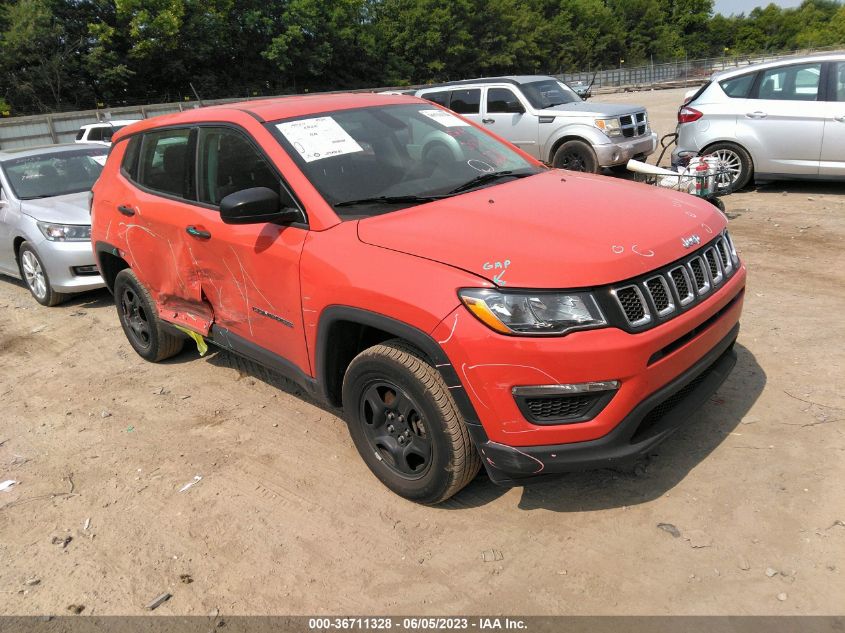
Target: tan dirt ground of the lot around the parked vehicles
<point x="287" y="519"/>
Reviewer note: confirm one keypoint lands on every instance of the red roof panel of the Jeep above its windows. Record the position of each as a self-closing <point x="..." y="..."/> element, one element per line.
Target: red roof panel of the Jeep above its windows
<point x="273" y="109"/>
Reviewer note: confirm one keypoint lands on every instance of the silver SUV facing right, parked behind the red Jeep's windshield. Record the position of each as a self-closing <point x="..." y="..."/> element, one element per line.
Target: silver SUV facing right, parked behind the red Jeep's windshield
<point x="545" y="118"/>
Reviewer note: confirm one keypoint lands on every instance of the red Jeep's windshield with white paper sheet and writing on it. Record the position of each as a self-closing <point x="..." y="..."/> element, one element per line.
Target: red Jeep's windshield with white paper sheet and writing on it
<point x="399" y="155"/>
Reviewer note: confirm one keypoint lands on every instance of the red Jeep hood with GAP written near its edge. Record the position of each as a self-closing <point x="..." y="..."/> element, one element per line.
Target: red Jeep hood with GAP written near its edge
<point x="557" y="229"/>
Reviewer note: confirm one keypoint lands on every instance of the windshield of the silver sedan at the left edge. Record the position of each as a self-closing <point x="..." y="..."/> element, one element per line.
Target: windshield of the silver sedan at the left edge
<point x="54" y="174"/>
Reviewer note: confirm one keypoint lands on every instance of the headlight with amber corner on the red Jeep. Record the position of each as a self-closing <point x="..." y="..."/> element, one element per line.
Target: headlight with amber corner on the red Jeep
<point x="533" y="313"/>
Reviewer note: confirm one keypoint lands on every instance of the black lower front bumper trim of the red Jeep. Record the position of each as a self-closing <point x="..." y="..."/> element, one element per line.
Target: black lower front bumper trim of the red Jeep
<point x="651" y="422"/>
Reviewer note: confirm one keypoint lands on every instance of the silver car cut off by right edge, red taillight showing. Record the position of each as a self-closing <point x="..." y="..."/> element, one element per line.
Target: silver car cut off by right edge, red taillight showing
<point x="781" y="119"/>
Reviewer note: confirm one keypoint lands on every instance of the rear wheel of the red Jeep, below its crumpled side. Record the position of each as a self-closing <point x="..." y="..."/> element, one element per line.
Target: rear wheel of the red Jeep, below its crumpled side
<point x="139" y="319"/>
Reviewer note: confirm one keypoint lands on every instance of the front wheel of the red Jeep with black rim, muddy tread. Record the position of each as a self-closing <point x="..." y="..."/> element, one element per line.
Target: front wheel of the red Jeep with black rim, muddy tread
<point x="406" y="425"/>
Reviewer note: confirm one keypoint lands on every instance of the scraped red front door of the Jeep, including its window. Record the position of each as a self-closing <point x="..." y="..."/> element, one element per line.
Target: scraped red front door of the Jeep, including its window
<point x="249" y="272"/>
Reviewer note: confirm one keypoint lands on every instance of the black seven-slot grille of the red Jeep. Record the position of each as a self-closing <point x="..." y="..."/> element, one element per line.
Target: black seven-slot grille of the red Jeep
<point x="664" y="294"/>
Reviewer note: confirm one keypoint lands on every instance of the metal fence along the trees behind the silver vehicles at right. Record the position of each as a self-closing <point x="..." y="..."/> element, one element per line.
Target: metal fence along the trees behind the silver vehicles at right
<point x="678" y="73"/>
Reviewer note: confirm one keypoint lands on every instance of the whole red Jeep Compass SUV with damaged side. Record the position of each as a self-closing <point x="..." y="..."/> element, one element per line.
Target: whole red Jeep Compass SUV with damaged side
<point x="465" y="304"/>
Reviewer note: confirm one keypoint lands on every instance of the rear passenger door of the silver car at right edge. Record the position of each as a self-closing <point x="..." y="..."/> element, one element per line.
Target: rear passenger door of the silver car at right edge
<point x="784" y="120"/>
